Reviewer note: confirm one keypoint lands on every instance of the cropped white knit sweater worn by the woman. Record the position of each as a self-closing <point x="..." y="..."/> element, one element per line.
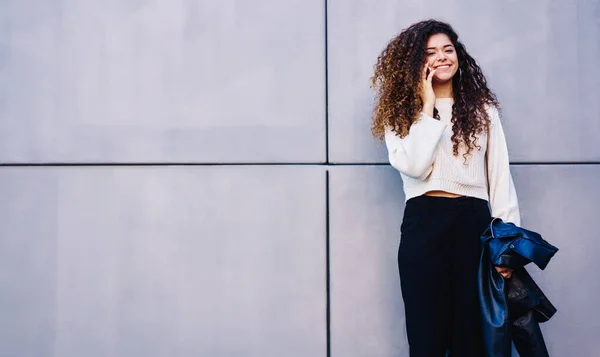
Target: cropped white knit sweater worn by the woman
<point x="426" y="162"/>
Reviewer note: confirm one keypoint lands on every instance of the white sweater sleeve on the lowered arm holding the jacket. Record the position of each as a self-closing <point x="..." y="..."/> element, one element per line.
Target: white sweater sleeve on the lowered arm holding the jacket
<point x="503" y="196"/>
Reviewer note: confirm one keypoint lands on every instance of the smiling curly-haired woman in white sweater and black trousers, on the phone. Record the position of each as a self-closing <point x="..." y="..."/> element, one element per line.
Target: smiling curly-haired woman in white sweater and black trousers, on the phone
<point x="442" y="129"/>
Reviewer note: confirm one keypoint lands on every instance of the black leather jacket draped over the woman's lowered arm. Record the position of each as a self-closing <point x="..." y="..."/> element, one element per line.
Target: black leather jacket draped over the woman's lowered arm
<point x="512" y="308"/>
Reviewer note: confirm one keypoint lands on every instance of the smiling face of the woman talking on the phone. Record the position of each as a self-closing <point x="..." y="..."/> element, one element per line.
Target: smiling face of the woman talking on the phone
<point x="441" y="55"/>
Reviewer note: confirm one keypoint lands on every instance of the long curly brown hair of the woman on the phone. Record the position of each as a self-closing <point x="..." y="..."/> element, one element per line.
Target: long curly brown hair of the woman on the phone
<point x="397" y="82"/>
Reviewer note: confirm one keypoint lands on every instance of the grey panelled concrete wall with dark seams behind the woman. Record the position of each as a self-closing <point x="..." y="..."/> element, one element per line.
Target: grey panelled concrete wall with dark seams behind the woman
<point x="197" y="178"/>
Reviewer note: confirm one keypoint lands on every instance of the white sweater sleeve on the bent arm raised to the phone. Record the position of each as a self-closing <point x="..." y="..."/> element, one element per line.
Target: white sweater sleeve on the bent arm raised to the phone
<point x="414" y="154"/>
